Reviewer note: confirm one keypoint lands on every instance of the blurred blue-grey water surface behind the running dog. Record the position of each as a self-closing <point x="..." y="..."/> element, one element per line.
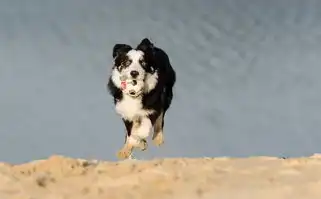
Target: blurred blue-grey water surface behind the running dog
<point x="248" y="76"/>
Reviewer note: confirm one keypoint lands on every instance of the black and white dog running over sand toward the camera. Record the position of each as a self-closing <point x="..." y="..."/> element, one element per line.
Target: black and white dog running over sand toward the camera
<point x="141" y="83"/>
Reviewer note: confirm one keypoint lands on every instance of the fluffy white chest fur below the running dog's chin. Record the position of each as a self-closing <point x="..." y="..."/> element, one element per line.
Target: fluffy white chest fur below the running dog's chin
<point x="130" y="108"/>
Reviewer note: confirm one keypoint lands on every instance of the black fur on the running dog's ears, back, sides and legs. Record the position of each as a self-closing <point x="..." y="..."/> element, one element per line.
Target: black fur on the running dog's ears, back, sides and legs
<point x="160" y="98"/>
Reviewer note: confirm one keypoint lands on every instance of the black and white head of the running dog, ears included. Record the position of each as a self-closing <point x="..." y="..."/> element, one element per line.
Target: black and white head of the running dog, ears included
<point x="132" y="65"/>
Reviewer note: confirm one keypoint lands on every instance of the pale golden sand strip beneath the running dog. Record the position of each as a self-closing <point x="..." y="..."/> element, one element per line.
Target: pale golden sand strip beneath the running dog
<point x="60" y="177"/>
